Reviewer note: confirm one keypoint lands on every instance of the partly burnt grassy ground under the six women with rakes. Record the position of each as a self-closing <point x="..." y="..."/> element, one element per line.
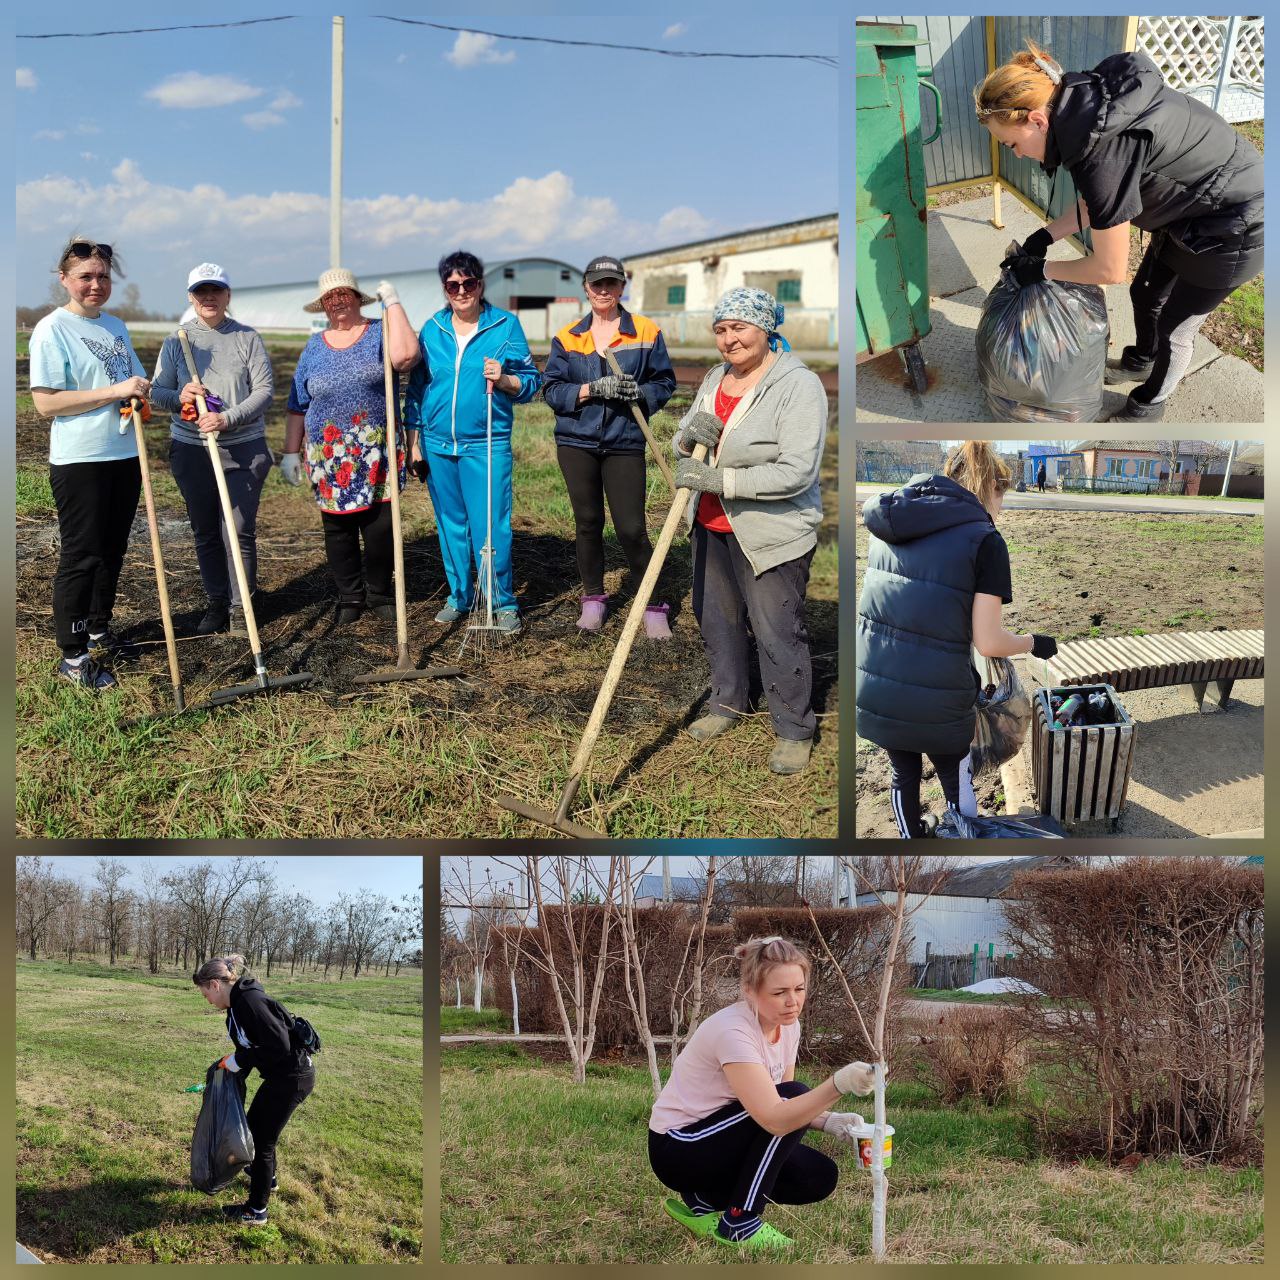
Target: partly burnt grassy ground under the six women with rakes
<point x="433" y="753"/>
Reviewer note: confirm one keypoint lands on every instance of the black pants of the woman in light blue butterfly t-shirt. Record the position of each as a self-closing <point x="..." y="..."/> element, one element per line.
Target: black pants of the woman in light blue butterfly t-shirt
<point x="97" y="504"/>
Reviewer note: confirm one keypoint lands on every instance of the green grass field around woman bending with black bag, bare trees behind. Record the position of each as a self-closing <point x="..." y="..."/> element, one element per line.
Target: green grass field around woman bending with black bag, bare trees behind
<point x="104" y="1126"/>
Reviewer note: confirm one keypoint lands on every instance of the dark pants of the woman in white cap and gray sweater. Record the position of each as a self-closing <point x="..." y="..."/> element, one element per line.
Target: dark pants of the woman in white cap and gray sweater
<point x="245" y="464"/>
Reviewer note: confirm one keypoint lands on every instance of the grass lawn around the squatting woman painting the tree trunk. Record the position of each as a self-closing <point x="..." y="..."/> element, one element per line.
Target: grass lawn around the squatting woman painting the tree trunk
<point x="538" y="1171"/>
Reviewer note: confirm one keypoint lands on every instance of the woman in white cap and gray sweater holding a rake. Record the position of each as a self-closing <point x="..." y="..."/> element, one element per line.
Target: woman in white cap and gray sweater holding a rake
<point x="232" y="364"/>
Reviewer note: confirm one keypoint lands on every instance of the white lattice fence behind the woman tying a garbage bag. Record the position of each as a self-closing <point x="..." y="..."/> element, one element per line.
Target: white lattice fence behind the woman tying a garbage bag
<point x="1218" y="62"/>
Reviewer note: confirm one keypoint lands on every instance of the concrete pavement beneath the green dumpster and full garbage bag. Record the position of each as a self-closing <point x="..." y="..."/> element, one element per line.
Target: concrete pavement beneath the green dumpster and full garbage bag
<point x="964" y="264"/>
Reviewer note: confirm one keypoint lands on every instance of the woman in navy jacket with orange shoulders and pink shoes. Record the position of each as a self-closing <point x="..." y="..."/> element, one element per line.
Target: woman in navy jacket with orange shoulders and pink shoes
<point x="598" y="444"/>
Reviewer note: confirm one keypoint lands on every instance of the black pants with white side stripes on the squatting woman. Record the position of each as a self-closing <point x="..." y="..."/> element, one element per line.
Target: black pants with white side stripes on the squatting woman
<point x="729" y="1162"/>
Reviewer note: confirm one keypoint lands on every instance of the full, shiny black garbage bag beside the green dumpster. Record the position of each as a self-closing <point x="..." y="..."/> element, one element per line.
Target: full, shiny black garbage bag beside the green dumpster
<point x="1043" y="350"/>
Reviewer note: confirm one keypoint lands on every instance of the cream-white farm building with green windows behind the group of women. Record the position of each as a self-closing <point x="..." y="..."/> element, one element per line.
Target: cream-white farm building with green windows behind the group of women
<point x="798" y="263"/>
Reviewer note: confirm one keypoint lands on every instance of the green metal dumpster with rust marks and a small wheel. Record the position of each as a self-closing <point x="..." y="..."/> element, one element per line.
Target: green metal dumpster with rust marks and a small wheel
<point x="893" y="260"/>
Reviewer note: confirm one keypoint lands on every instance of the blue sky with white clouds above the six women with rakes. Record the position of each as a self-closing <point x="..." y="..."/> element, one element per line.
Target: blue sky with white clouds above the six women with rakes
<point x="214" y="145"/>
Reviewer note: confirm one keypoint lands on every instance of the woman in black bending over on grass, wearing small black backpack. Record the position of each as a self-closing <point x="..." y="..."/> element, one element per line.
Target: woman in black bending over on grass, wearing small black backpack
<point x="259" y="1027"/>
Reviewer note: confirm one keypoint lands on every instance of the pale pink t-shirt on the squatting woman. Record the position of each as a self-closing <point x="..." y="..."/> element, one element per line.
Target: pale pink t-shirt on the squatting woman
<point x="698" y="1084"/>
